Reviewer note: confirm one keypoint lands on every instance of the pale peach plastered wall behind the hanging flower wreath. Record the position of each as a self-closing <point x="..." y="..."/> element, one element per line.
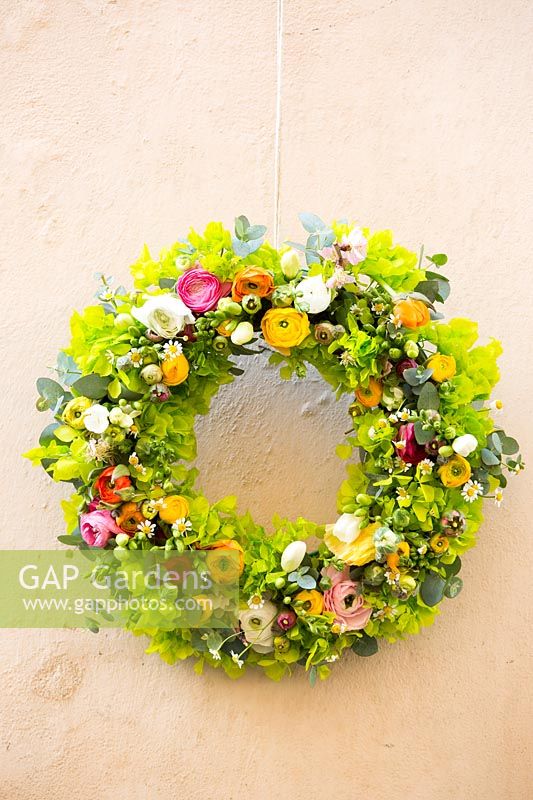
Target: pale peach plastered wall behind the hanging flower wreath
<point x="126" y="121"/>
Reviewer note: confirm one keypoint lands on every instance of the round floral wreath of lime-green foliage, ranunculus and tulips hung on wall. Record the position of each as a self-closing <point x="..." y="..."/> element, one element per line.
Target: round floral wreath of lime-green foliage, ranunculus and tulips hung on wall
<point x="361" y="310"/>
